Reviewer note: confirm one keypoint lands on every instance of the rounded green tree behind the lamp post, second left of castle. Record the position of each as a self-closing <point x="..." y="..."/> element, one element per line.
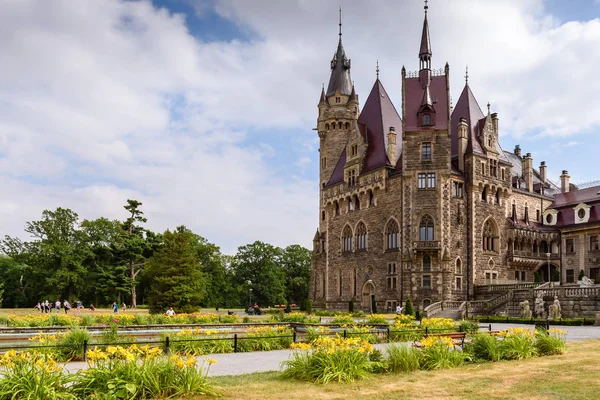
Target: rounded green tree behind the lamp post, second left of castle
<point x="259" y="263"/>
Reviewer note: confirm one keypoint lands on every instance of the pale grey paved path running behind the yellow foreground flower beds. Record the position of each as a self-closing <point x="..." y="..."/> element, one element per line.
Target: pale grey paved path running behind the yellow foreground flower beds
<point x="248" y="363"/>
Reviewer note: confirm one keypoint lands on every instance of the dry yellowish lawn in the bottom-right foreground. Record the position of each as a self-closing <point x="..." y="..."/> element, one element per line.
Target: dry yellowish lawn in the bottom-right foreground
<point x="574" y="375"/>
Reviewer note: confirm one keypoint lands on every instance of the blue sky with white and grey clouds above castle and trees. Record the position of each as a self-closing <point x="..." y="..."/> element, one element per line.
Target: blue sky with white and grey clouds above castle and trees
<point x="203" y="110"/>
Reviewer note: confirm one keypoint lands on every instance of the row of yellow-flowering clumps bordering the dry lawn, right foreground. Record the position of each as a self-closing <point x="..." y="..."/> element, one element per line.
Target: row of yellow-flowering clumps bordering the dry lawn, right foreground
<point x="344" y="360"/>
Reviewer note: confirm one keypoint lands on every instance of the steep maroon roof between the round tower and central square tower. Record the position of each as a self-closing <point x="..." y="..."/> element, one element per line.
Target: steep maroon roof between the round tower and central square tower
<point x="376" y="117"/>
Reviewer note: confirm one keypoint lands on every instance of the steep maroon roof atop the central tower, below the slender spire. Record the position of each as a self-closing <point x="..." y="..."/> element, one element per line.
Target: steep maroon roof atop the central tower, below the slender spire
<point x="413" y="96"/>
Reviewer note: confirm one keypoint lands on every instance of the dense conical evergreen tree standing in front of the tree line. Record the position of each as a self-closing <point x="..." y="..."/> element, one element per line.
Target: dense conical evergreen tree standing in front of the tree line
<point x="175" y="273"/>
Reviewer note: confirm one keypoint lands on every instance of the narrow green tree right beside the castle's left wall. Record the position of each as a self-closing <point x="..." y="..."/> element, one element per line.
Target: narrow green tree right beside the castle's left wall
<point x="295" y="262"/>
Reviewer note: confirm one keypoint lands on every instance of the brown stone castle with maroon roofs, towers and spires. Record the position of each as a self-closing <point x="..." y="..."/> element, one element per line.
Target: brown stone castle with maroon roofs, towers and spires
<point x="422" y="201"/>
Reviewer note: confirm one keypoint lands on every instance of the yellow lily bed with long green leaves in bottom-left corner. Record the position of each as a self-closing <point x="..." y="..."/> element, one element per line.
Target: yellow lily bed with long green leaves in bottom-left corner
<point x="115" y="373"/>
